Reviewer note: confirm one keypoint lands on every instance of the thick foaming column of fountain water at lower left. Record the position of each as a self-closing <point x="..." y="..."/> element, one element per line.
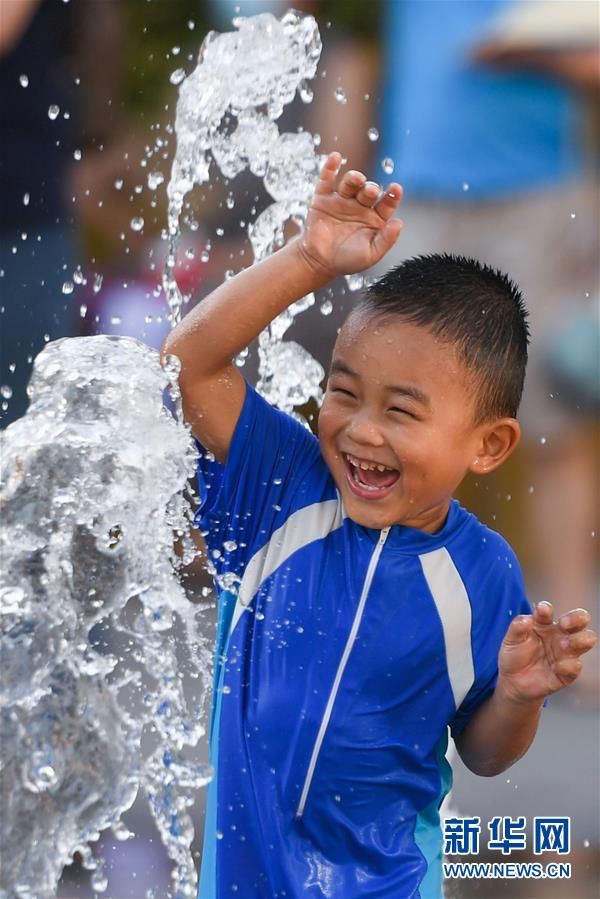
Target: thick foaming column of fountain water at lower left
<point x="93" y="485"/>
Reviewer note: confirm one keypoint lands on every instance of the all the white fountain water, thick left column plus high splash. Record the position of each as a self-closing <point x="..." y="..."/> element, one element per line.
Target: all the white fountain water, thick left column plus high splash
<point x="93" y="486"/>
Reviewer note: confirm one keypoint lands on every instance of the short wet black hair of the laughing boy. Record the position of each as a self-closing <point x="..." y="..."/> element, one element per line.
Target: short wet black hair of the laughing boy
<point x="472" y="305"/>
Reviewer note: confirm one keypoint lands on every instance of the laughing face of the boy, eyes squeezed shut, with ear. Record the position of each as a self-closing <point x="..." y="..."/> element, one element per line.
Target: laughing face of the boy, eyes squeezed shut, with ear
<point x="396" y="427"/>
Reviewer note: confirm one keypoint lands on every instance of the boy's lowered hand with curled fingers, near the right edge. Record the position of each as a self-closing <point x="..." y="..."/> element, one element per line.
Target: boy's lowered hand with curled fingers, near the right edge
<point x="539" y="656"/>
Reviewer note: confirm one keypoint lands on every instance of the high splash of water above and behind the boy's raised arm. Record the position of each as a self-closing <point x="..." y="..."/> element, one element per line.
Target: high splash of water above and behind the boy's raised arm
<point x="231" y="122"/>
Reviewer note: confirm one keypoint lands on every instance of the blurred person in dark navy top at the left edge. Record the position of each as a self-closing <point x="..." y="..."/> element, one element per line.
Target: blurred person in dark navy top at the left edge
<point x="37" y="235"/>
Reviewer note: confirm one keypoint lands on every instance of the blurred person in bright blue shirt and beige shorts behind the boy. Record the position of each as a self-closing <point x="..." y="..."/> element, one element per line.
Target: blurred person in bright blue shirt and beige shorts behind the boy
<point x="493" y="164"/>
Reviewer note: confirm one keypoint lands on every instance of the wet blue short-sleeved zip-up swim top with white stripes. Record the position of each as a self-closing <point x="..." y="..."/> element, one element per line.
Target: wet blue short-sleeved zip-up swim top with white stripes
<point x="343" y="656"/>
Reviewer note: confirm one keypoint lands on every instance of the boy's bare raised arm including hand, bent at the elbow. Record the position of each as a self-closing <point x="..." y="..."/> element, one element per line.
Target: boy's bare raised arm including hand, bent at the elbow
<point x="348" y="228"/>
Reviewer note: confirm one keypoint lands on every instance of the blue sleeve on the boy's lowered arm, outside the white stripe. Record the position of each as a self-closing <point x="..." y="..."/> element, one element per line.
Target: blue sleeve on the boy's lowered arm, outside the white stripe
<point x="491" y="620"/>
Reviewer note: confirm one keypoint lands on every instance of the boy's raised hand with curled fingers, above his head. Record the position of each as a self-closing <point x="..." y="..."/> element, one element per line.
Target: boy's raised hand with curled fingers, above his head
<point x="349" y="226"/>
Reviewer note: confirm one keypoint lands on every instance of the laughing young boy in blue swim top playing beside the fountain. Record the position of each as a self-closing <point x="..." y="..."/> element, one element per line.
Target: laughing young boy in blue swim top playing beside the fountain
<point x="362" y="611"/>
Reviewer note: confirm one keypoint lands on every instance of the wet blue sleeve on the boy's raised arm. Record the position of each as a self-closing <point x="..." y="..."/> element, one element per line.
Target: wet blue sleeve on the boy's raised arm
<point x="268" y="473"/>
